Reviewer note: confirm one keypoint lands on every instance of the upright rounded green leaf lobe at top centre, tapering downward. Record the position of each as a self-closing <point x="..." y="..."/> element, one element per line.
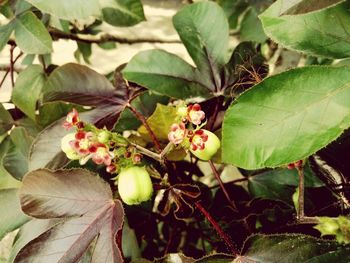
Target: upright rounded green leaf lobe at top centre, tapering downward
<point x="204" y="30"/>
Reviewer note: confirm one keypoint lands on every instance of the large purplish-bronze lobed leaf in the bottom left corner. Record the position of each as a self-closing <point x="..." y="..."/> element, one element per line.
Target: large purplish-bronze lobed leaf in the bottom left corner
<point x="90" y="216"/>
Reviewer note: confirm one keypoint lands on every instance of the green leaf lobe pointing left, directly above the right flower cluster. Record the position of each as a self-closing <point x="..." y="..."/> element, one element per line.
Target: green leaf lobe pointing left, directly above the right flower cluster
<point x="165" y="73"/>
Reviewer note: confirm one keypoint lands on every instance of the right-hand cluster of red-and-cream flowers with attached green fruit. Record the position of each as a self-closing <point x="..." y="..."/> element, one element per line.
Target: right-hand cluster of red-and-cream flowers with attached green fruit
<point x="202" y="143"/>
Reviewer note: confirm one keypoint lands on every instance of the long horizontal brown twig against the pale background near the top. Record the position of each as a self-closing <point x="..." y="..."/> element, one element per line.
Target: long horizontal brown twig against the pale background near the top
<point x="108" y="38"/>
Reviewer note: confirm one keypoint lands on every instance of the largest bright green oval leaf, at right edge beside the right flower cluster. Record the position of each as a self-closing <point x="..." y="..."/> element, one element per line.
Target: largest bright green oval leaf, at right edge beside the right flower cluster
<point x="287" y="117"/>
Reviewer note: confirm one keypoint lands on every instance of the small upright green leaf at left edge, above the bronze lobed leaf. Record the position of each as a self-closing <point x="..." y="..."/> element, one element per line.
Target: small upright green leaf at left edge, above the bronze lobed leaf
<point x="16" y="159"/>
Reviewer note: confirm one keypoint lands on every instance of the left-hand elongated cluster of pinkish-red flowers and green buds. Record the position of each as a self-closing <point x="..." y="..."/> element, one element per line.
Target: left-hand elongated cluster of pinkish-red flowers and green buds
<point x="99" y="145"/>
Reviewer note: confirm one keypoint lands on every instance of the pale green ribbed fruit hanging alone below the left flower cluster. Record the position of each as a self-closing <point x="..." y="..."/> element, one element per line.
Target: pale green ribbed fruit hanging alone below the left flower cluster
<point x="134" y="185"/>
